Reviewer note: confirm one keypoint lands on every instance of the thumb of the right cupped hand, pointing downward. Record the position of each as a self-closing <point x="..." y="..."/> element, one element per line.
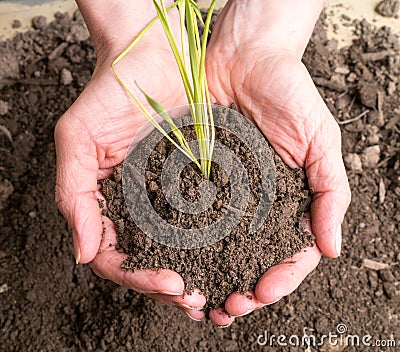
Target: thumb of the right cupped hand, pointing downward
<point x="331" y="192"/>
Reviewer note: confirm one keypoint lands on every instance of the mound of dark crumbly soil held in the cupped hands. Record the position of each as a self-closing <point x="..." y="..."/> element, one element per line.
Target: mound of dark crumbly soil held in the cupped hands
<point x="236" y="262"/>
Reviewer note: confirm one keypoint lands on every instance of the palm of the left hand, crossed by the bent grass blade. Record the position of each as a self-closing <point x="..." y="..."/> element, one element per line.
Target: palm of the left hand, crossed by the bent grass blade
<point x="111" y="118"/>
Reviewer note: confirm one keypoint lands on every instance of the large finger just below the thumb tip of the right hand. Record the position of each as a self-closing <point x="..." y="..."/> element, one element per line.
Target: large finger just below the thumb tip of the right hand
<point x="282" y="279"/>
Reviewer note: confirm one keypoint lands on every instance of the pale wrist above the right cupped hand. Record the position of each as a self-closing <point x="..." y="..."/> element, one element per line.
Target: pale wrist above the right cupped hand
<point x="280" y="25"/>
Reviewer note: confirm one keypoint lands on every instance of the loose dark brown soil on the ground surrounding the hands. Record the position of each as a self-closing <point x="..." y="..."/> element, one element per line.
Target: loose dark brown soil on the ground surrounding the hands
<point x="47" y="303"/>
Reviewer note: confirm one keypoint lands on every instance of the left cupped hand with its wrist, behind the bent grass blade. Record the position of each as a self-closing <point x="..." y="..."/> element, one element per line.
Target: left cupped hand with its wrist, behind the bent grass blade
<point x="94" y="134"/>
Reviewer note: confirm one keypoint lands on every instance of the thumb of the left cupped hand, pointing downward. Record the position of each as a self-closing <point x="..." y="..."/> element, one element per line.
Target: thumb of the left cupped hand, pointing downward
<point x="76" y="185"/>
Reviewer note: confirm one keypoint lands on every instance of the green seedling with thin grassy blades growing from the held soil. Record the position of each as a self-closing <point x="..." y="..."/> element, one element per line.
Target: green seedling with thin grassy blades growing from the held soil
<point x="192" y="71"/>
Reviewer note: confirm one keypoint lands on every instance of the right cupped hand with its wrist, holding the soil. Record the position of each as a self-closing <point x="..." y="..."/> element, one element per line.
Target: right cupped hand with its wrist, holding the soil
<point x="254" y="61"/>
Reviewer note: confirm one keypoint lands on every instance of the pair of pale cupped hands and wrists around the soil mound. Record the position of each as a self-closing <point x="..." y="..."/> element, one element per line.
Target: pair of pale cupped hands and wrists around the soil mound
<point x="254" y="61"/>
